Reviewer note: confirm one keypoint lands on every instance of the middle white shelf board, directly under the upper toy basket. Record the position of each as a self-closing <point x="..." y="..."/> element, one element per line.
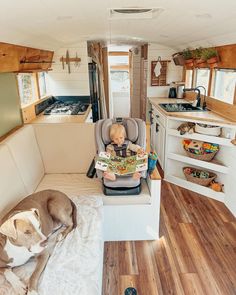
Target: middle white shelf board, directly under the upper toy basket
<point x="199" y="163"/>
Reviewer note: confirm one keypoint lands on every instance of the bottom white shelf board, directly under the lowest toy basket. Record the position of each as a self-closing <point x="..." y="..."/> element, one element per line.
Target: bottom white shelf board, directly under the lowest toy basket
<point x="206" y="191"/>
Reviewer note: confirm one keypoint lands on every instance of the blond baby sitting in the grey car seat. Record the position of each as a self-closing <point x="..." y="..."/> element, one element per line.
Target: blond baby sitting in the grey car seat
<point x="122" y="148"/>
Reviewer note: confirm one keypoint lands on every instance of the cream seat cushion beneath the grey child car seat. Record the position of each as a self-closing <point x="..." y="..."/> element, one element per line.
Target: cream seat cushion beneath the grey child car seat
<point x="80" y="184"/>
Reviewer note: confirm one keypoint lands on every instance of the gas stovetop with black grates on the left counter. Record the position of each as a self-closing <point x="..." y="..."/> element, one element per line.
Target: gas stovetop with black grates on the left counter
<point x="66" y="108"/>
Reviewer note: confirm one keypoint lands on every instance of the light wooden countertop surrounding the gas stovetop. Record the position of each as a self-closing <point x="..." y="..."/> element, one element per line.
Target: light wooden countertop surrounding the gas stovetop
<point x="62" y="118"/>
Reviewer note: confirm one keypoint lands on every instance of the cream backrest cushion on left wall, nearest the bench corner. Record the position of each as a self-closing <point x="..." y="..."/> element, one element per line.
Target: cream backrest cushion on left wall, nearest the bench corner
<point x="24" y="149"/>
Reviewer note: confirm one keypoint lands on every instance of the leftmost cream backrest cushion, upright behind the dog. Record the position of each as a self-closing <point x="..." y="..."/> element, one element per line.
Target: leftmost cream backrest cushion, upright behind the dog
<point x="12" y="188"/>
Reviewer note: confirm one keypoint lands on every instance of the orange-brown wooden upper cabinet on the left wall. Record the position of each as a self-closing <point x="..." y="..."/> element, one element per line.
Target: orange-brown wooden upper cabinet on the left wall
<point x="15" y="58"/>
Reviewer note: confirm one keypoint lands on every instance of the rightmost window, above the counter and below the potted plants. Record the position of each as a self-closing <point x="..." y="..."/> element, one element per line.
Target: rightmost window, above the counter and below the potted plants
<point x="224" y="85"/>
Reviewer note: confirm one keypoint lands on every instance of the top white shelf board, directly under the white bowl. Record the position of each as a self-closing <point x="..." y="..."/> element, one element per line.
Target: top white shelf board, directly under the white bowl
<point x="202" y="137"/>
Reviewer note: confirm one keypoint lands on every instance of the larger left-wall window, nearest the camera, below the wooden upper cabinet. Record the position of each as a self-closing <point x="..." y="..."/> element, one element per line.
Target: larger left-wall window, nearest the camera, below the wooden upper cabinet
<point x="27" y="91"/>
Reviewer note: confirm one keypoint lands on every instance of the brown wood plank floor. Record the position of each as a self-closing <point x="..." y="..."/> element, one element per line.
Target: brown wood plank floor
<point x="196" y="252"/>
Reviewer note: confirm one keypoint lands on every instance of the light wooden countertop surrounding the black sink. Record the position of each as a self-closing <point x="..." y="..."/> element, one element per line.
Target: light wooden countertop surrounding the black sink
<point x="207" y="116"/>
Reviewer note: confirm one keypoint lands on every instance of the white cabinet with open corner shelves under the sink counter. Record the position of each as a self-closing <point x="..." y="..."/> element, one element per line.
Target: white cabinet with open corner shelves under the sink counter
<point x="167" y="142"/>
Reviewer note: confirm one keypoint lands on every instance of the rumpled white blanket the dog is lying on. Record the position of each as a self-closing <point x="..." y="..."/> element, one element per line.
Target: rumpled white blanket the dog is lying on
<point x="75" y="266"/>
